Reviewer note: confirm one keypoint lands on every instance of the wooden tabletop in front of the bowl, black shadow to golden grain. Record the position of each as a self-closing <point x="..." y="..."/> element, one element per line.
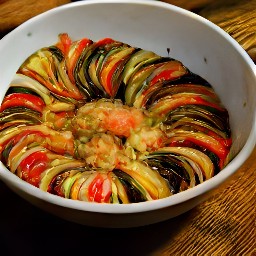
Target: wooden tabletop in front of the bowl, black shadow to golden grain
<point x="222" y="225"/>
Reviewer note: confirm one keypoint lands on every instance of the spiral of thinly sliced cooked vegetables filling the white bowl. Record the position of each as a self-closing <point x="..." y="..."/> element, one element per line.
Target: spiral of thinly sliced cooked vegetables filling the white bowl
<point x="110" y="123"/>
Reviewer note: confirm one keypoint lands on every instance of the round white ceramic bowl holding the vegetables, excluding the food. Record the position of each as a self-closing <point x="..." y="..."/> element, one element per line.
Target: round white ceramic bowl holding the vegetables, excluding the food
<point x="203" y="47"/>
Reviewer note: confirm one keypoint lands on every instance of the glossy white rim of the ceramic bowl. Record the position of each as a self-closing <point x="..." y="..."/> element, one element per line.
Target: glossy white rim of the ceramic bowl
<point x="179" y="198"/>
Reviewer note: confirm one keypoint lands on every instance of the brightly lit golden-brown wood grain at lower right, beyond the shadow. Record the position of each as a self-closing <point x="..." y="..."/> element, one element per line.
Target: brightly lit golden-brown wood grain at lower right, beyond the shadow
<point x="224" y="224"/>
